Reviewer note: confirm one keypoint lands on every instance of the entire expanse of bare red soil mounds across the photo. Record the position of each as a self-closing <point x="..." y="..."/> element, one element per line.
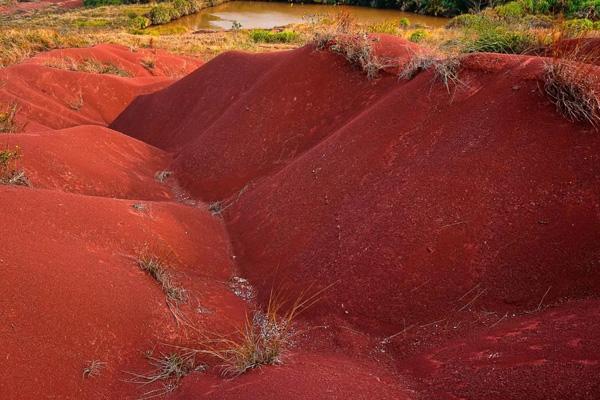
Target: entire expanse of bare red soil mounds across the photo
<point x="458" y="230"/>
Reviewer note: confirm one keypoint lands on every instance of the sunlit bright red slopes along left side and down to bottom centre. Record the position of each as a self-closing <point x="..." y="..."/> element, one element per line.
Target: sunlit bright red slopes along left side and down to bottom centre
<point x="73" y="290"/>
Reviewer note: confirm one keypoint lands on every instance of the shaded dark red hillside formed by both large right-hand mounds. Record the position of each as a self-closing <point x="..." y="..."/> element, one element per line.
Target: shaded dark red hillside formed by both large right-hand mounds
<point x="434" y="213"/>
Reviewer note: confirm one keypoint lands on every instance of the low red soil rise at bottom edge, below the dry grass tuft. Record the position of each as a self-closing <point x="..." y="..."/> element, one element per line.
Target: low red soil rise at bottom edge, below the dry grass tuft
<point x="303" y="376"/>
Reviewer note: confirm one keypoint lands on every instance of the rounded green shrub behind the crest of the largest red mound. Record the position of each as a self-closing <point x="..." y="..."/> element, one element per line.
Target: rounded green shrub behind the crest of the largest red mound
<point x="501" y="40"/>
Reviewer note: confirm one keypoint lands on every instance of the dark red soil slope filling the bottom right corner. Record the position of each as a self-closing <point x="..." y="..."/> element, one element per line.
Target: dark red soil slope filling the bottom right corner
<point x="547" y="355"/>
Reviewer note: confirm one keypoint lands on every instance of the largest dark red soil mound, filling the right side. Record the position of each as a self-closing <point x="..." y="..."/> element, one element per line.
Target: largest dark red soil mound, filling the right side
<point x="443" y="195"/>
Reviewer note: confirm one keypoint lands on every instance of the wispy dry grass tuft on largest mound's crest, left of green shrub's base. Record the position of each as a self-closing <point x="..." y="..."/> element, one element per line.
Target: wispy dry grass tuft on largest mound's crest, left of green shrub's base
<point x="445" y="68"/>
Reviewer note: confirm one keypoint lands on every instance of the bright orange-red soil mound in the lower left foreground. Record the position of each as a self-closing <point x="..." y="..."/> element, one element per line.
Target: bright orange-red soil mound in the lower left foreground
<point x="72" y="292"/>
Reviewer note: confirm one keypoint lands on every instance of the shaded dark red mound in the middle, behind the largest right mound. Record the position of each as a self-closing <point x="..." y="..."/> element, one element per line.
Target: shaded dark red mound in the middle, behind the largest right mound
<point x="270" y="118"/>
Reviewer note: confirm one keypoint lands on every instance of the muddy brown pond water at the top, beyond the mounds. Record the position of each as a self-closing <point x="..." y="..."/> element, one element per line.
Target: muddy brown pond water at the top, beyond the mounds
<point x="252" y="14"/>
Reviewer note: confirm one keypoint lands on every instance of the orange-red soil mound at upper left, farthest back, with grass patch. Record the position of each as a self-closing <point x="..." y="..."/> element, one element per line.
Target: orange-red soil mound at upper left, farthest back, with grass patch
<point x="59" y="98"/>
